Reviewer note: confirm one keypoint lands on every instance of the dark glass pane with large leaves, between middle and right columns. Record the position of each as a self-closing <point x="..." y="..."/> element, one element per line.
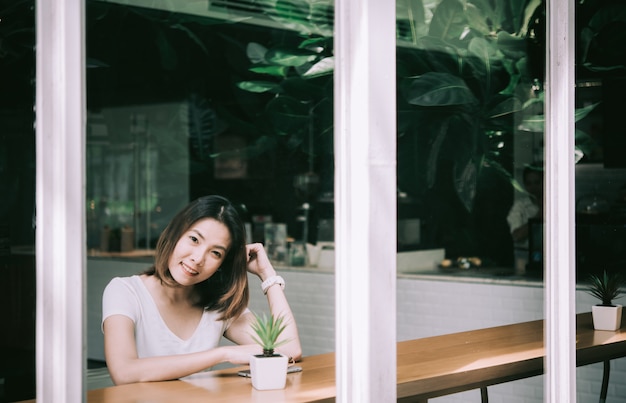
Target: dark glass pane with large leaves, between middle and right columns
<point x="469" y="77"/>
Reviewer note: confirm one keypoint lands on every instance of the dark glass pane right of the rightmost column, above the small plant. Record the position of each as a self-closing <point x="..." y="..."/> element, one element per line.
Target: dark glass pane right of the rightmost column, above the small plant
<point x="600" y="139"/>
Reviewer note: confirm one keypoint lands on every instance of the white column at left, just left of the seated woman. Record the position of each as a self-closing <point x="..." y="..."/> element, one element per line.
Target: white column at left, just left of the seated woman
<point x="60" y="234"/>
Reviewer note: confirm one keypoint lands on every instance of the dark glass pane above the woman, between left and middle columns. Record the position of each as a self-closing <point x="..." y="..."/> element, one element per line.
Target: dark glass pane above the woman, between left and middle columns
<point x="185" y="100"/>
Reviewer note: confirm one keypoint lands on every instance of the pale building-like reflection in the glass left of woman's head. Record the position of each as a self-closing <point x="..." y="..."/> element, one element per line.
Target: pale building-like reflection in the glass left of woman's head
<point x="131" y="178"/>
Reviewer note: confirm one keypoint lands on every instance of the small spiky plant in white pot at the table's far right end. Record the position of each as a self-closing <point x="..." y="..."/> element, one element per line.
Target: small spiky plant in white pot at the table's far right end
<point x="607" y="287"/>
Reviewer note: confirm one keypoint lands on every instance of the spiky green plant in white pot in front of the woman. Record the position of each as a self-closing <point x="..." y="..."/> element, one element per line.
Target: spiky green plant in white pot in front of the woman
<point x="268" y="370"/>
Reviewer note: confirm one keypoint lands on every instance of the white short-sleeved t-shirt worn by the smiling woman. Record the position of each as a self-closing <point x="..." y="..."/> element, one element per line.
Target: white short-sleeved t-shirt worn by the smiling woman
<point x="129" y="296"/>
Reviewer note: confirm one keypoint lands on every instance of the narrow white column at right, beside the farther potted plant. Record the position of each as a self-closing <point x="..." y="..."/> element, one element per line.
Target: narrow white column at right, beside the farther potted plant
<point x="560" y="278"/>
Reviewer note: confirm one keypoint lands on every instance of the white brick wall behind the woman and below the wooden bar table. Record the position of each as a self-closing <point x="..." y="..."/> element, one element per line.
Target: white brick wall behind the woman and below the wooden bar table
<point x="426" y="307"/>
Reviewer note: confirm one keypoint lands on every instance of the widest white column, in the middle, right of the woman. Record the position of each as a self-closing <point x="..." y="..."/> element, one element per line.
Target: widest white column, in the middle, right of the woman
<point x="365" y="200"/>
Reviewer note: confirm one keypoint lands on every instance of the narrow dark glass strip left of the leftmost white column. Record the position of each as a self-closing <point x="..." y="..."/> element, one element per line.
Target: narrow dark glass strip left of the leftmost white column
<point x="17" y="199"/>
